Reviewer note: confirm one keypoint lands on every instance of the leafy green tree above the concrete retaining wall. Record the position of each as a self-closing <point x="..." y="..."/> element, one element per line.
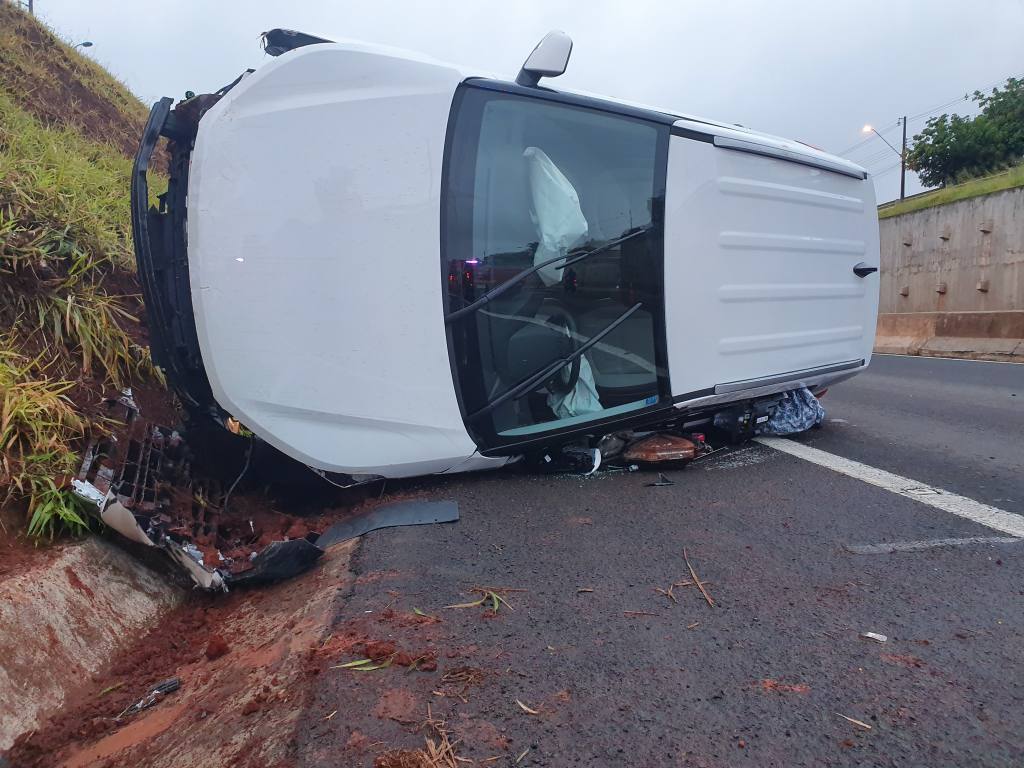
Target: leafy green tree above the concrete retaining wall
<point x="953" y="148"/>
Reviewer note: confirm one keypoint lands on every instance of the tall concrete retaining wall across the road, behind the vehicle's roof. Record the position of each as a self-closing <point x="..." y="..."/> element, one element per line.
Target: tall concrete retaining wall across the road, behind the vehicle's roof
<point x="953" y="280"/>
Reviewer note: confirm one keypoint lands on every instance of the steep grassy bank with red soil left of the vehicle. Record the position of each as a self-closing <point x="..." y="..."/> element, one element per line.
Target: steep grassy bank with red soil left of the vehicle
<point x="69" y="304"/>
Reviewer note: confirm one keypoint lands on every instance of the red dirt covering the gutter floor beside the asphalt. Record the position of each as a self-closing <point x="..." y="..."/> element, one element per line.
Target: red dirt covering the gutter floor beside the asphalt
<point x="266" y="644"/>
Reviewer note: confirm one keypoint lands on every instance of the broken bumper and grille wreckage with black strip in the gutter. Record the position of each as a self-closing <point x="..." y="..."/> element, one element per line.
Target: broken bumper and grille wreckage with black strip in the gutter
<point x="140" y="483"/>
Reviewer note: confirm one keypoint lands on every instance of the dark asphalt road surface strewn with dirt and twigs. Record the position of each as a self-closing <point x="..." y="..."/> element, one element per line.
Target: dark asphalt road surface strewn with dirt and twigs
<point x="620" y="675"/>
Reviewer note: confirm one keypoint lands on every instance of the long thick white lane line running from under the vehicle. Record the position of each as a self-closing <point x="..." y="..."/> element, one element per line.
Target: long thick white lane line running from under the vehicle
<point x="998" y="520"/>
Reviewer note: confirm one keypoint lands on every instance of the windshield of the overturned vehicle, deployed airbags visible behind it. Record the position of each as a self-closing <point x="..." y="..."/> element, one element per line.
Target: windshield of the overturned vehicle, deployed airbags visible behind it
<point x="552" y="259"/>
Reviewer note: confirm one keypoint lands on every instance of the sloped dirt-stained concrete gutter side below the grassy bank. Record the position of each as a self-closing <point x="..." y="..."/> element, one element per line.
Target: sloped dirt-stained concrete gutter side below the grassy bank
<point x="65" y="620"/>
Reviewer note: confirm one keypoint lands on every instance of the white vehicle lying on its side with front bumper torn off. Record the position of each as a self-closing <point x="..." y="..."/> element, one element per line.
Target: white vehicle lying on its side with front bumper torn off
<point x="386" y="266"/>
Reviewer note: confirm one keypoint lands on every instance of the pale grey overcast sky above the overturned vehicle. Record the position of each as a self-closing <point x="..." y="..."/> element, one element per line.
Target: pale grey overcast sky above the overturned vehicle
<point x="815" y="71"/>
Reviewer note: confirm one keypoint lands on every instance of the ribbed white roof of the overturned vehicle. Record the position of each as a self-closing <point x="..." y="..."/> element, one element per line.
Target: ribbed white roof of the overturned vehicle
<point x="762" y="240"/>
